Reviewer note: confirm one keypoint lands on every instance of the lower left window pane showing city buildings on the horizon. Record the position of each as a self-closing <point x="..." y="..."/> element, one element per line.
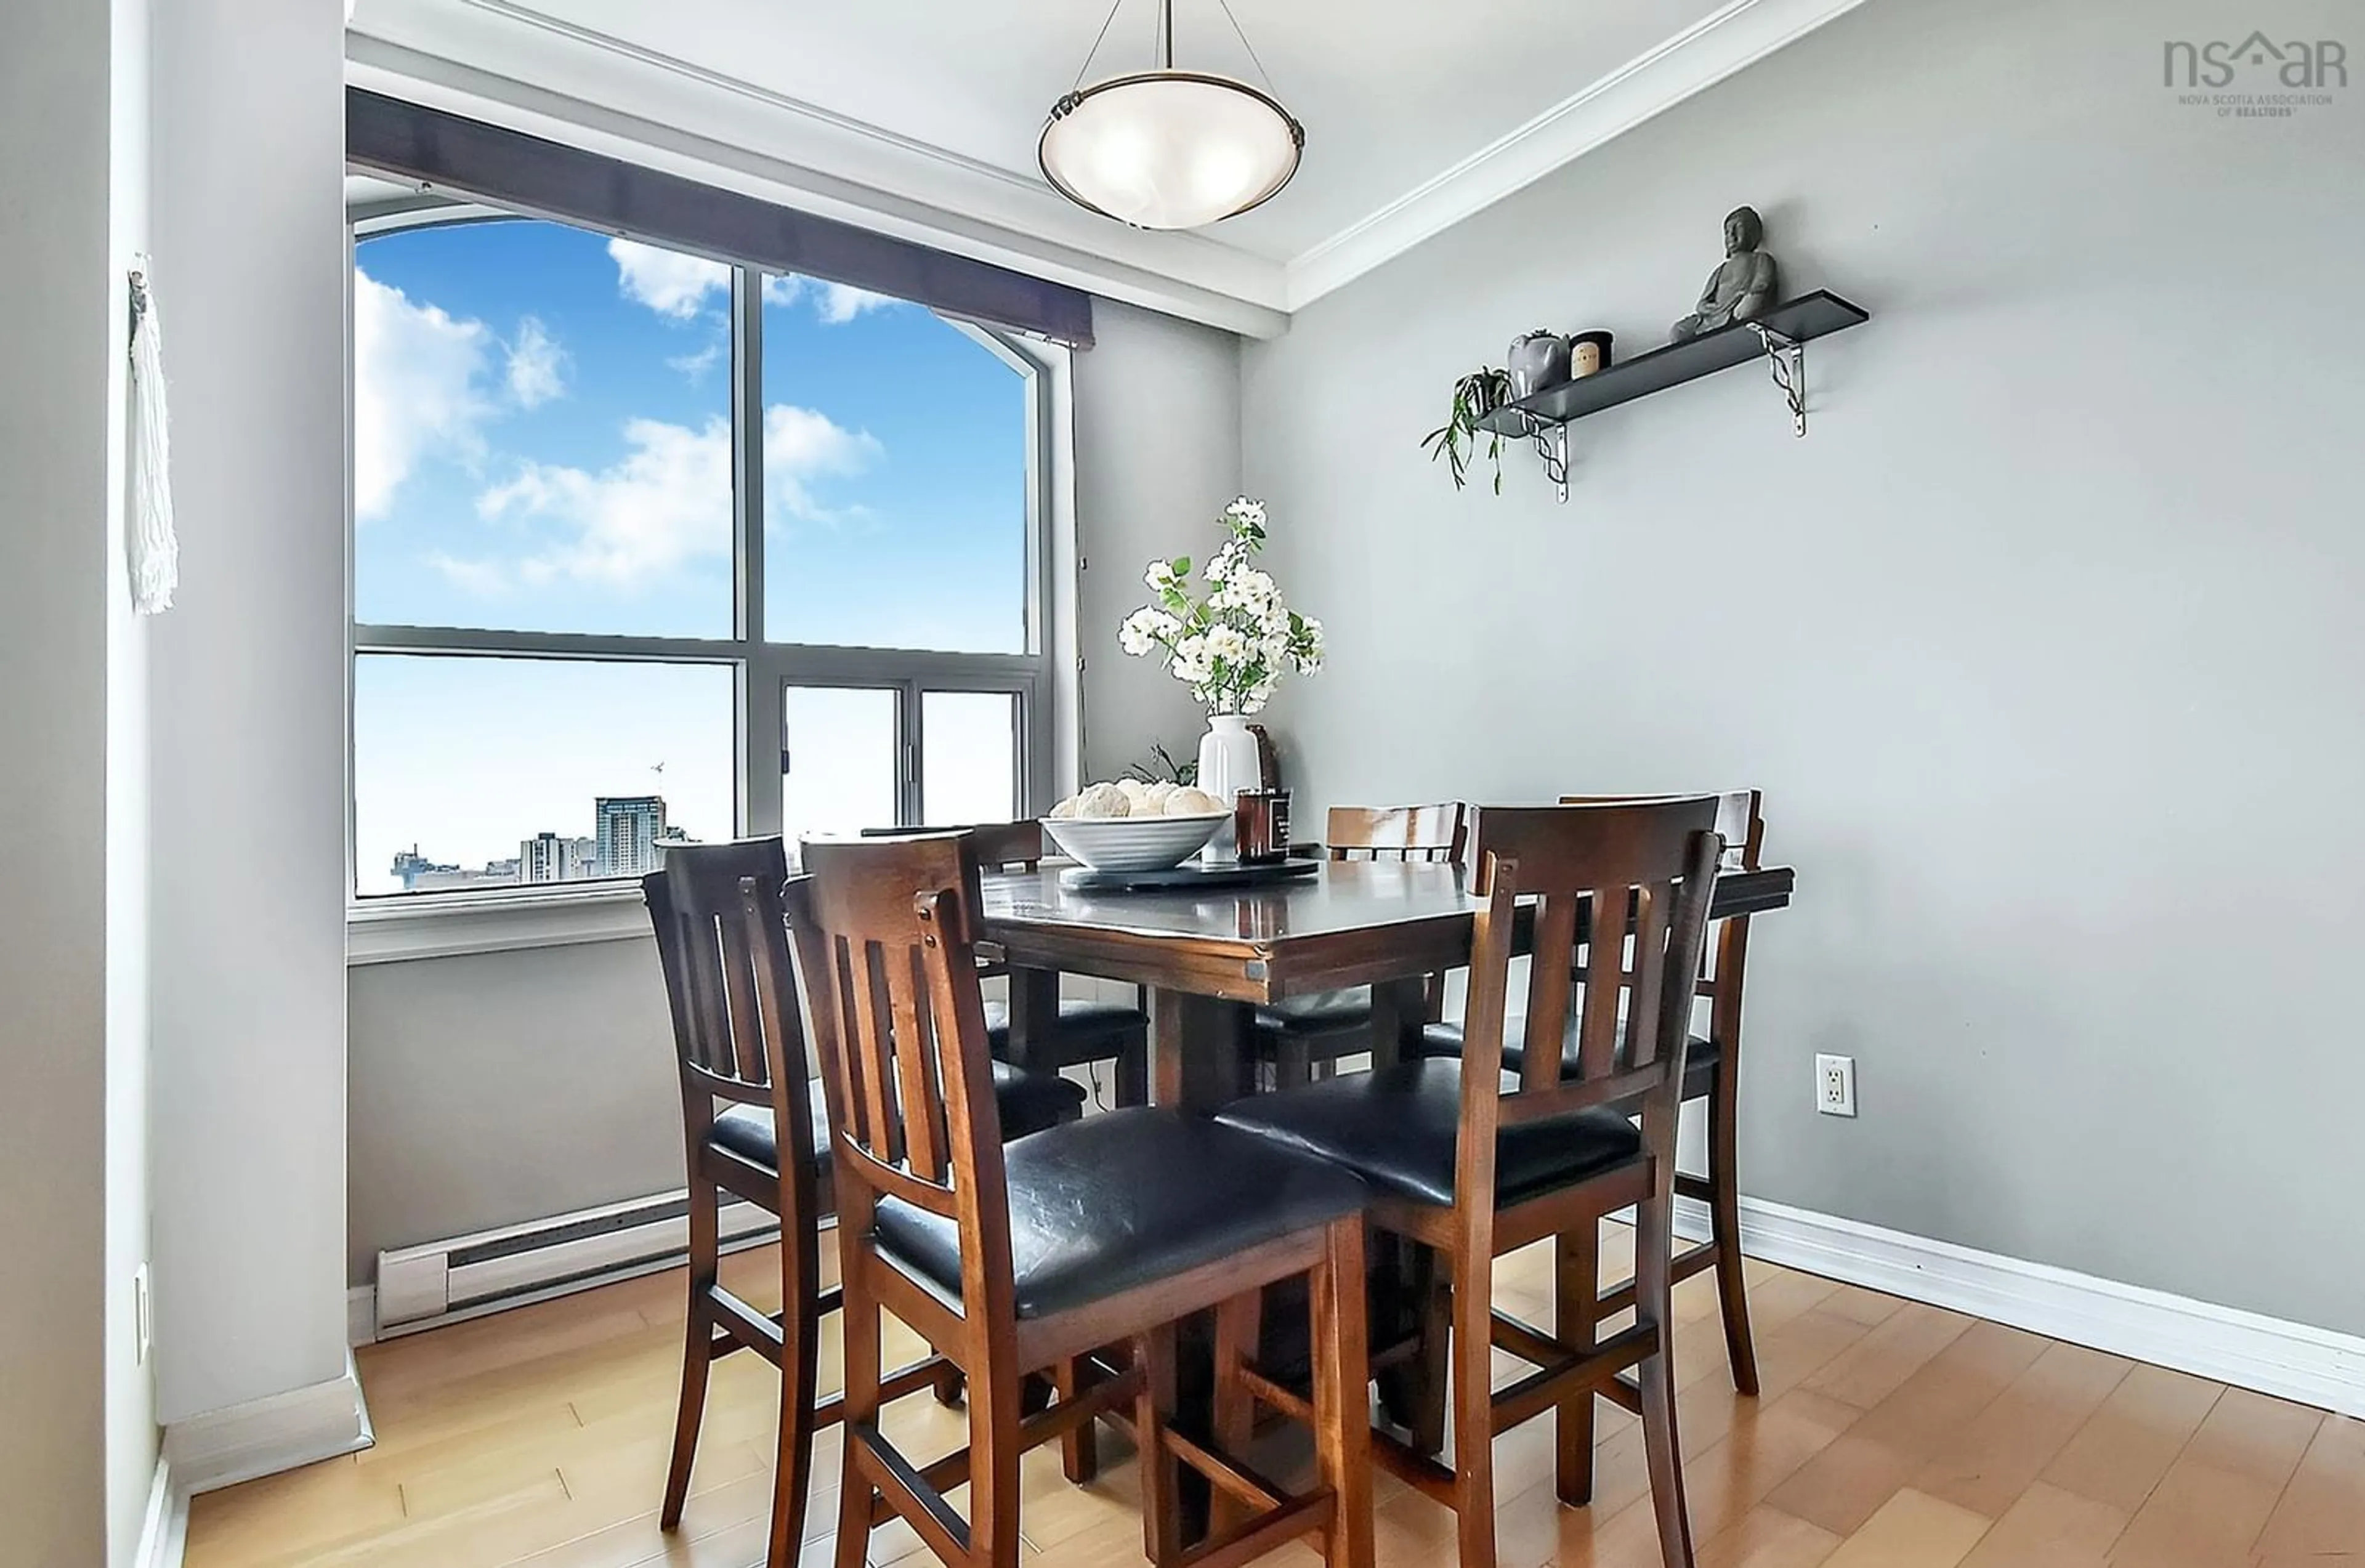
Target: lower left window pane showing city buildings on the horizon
<point x="488" y="772"/>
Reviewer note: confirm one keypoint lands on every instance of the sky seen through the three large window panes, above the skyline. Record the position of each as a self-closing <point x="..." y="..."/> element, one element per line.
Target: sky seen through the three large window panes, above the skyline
<point x="543" y="443"/>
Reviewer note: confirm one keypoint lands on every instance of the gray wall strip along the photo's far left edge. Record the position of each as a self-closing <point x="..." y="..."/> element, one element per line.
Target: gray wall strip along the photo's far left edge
<point x="53" y="732"/>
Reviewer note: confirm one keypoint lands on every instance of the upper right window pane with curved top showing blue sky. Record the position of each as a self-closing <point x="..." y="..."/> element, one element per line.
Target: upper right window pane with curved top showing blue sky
<point x="895" y="477"/>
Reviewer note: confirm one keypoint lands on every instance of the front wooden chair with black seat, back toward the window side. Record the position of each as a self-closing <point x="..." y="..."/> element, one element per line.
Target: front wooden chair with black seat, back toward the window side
<point x="1032" y="1257"/>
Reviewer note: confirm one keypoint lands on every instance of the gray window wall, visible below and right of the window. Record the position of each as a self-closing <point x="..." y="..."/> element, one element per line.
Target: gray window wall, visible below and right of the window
<point x="510" y="1087"/>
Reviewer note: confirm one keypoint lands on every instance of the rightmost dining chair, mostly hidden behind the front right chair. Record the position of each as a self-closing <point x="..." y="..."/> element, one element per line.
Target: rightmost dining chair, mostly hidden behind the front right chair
<point x="1713" y="1075"/>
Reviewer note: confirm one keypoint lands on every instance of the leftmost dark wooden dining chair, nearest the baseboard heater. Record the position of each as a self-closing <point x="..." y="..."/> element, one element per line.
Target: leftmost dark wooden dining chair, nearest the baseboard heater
<point x="718" y="914"/>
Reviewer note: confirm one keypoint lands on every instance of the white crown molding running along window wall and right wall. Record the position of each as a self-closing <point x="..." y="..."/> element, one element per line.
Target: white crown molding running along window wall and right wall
<point x="526" y="67"/>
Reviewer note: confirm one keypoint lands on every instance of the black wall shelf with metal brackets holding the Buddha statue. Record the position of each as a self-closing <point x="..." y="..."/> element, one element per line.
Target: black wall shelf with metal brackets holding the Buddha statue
<point x="1780" y="337"/>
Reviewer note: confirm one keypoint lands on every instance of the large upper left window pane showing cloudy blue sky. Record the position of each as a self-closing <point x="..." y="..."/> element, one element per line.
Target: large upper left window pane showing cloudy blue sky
<point x="540" y="432"/>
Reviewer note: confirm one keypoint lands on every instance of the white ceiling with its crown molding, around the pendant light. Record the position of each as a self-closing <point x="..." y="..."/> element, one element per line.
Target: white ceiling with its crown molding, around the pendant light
<point x="1415" y="110"/>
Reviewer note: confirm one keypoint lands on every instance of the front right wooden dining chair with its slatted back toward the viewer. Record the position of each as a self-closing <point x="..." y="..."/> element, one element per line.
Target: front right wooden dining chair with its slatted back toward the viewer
<point x="1475" y="1162"/>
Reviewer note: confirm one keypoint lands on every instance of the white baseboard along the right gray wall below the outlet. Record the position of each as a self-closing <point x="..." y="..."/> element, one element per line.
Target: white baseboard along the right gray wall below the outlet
<point x="2227" y="1345"/>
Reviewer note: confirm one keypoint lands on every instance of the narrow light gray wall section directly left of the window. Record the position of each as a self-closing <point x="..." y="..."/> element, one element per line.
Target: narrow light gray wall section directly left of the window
<point x="250" y="706"/>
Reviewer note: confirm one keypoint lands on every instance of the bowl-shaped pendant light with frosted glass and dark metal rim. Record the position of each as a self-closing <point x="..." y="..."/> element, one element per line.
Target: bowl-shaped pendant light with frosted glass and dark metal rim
<point x="1165" y="148"/>
